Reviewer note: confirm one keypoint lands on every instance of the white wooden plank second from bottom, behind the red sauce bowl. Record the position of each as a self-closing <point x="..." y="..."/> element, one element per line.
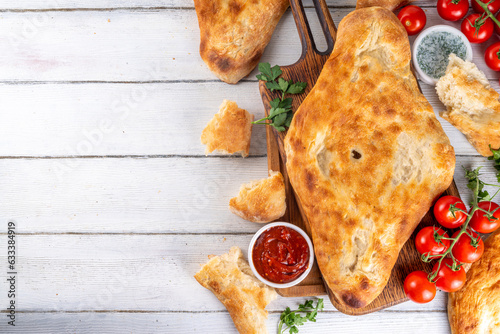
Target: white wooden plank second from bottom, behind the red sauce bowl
<point x="57" y="273"/>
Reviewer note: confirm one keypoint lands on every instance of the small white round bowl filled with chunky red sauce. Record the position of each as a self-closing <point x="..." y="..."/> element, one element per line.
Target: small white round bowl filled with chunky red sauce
<point x="281" y="255"/>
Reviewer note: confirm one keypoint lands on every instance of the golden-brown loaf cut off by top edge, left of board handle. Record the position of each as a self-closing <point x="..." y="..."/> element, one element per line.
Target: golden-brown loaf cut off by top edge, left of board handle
<point x="234" y="33"/>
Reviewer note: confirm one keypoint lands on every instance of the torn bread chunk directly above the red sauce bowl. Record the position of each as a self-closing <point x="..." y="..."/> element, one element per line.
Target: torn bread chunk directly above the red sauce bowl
<point x="261" y="201"/>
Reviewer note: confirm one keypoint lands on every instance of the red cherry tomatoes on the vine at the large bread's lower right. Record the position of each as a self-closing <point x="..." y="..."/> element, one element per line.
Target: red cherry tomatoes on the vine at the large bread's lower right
<point x="434" y="243"/>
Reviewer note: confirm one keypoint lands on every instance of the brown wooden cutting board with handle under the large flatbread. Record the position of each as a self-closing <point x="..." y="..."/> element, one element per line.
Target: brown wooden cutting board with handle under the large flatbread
<point x="307" y="69"/>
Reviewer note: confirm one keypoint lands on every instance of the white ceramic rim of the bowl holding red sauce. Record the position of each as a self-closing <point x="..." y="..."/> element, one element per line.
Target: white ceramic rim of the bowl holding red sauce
<point x="298" y="279"/>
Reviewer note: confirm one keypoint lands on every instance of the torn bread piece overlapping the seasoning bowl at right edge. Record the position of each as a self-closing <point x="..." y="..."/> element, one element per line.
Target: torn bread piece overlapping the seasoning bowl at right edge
<point x="473" y="107"/>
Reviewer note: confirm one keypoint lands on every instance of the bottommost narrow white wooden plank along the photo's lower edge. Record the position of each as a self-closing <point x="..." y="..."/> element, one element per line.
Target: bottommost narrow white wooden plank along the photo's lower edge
<point x="216" y="323"/>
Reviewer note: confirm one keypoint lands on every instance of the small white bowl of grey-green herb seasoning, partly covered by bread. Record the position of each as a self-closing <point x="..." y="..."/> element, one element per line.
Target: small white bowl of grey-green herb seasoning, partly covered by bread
<point x="431" y="50"/>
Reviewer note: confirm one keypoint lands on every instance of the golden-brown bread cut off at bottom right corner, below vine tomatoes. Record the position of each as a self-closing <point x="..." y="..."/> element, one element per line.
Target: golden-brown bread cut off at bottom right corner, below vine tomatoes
<point x="475" y="309"/>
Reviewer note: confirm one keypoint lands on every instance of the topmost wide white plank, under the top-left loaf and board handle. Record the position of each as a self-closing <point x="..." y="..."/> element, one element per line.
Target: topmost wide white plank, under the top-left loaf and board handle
<point x="132" y="45"/>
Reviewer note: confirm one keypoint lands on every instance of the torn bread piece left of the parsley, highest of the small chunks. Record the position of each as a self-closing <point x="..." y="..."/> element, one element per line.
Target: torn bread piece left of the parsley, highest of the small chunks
<point x="229" y="131"/>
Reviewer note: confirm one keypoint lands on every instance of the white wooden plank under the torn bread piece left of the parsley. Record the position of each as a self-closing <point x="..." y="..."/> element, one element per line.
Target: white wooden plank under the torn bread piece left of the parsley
<point x="134" y="119"/>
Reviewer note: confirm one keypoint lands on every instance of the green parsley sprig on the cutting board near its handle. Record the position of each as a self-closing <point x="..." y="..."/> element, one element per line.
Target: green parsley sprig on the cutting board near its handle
<point x="281" y="113"/>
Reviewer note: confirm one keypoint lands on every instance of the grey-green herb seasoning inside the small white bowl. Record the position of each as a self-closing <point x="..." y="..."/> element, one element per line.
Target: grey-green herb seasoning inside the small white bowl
<point x="434" y="49"/>
